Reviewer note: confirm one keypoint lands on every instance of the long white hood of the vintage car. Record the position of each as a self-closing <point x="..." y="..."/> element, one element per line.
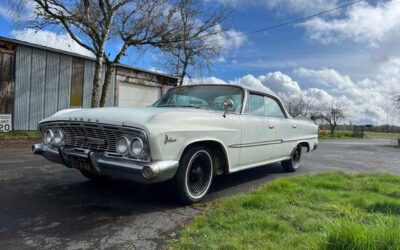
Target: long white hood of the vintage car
<point x="143" y="118"/>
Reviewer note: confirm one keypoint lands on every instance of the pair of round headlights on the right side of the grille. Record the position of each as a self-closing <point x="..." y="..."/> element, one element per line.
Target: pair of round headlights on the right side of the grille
<point x="133" y="146"/>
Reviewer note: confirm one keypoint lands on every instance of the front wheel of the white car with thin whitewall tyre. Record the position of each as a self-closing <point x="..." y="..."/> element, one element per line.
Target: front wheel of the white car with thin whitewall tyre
<point x="194" y="176"/>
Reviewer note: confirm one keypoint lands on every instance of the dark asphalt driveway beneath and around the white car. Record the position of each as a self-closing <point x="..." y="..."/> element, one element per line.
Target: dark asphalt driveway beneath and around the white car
<point x="47" y="206"/>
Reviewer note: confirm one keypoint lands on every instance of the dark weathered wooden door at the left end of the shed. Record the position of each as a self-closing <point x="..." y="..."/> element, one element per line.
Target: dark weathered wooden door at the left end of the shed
<point x="7" y="77"/>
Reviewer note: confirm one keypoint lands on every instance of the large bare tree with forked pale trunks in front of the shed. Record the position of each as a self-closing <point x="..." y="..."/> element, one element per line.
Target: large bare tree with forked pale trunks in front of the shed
<point x="134" y="22"/>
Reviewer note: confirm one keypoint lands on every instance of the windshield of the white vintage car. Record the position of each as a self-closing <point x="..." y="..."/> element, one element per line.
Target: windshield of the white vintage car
<point x="202" y="96"/>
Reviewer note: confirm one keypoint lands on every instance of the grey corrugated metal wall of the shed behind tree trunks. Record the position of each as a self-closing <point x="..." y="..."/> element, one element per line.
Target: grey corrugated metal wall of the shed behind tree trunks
<point x="43" y="85"/>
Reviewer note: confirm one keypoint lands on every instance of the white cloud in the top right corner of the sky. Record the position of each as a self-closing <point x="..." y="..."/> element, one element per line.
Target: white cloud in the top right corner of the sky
<point x="376" y="26"/>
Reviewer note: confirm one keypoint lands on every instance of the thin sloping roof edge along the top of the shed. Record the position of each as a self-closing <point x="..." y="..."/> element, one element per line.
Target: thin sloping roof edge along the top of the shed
<point x="33" y="45"/>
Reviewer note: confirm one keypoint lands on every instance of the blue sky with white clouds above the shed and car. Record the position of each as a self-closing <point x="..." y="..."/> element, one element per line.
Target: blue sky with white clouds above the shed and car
<point x="349" y="57"/>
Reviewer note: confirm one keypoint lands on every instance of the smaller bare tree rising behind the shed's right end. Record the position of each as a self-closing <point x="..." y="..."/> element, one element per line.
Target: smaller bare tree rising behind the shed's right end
<point x="200" y="32"/>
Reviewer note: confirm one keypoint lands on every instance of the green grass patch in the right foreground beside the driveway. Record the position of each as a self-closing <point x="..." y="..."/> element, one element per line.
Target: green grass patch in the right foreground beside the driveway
<point x="322" y="211"/>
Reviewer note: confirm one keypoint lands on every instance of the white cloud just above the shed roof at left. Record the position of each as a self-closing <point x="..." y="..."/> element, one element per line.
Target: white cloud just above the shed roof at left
<point x="50" y="39"/>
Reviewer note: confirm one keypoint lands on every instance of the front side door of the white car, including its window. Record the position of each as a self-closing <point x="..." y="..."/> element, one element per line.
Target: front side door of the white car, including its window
<point x="258" y="133"/>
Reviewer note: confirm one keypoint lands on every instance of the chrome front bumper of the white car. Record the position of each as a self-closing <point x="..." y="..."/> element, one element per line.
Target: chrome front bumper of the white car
<point x="142" y="172"/>
